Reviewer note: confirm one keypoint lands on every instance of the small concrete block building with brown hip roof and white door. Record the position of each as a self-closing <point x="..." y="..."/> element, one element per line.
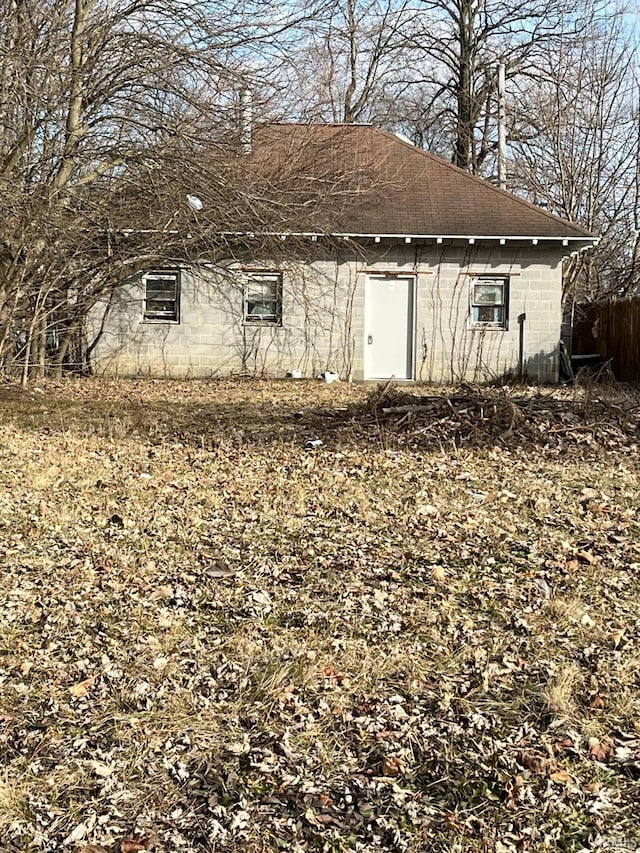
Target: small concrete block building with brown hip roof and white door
<point x="416" y="270"/>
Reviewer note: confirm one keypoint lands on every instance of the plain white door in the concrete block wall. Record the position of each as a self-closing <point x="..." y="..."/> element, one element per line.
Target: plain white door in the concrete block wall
<point x="388" y="327"/>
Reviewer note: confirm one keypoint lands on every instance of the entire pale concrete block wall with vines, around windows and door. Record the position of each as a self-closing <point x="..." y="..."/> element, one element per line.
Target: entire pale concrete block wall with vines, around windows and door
<point x="323" y="317"/>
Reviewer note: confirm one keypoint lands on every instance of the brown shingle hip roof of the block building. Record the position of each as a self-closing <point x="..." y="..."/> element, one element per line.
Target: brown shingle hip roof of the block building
<point x="389" y="187"/>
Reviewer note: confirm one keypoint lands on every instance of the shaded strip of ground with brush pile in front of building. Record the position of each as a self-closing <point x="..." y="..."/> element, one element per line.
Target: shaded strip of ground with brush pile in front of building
<point x="258" y="413"/>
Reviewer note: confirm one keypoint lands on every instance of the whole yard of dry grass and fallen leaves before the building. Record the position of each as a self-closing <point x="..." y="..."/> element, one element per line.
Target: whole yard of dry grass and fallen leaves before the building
<point x="260" y="616"/>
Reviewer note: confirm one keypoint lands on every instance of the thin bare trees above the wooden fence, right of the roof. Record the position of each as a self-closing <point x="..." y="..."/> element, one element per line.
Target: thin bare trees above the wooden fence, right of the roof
<point x="574" y="148"/>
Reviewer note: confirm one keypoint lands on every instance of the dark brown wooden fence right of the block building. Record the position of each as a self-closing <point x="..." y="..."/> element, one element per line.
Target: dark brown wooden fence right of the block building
<point x="611" y="329"/>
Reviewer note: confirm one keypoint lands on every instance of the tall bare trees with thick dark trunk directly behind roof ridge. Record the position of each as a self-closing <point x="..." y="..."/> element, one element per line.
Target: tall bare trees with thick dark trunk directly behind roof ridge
<point x="427" y="69"/>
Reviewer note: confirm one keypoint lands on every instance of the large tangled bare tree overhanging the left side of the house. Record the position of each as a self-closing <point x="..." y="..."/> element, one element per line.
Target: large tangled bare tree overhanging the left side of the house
<point x="97" y="97"/>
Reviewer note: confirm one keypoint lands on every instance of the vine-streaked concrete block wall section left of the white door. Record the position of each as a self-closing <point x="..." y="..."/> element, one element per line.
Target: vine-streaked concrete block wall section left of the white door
<point x="211" y="339"/>
